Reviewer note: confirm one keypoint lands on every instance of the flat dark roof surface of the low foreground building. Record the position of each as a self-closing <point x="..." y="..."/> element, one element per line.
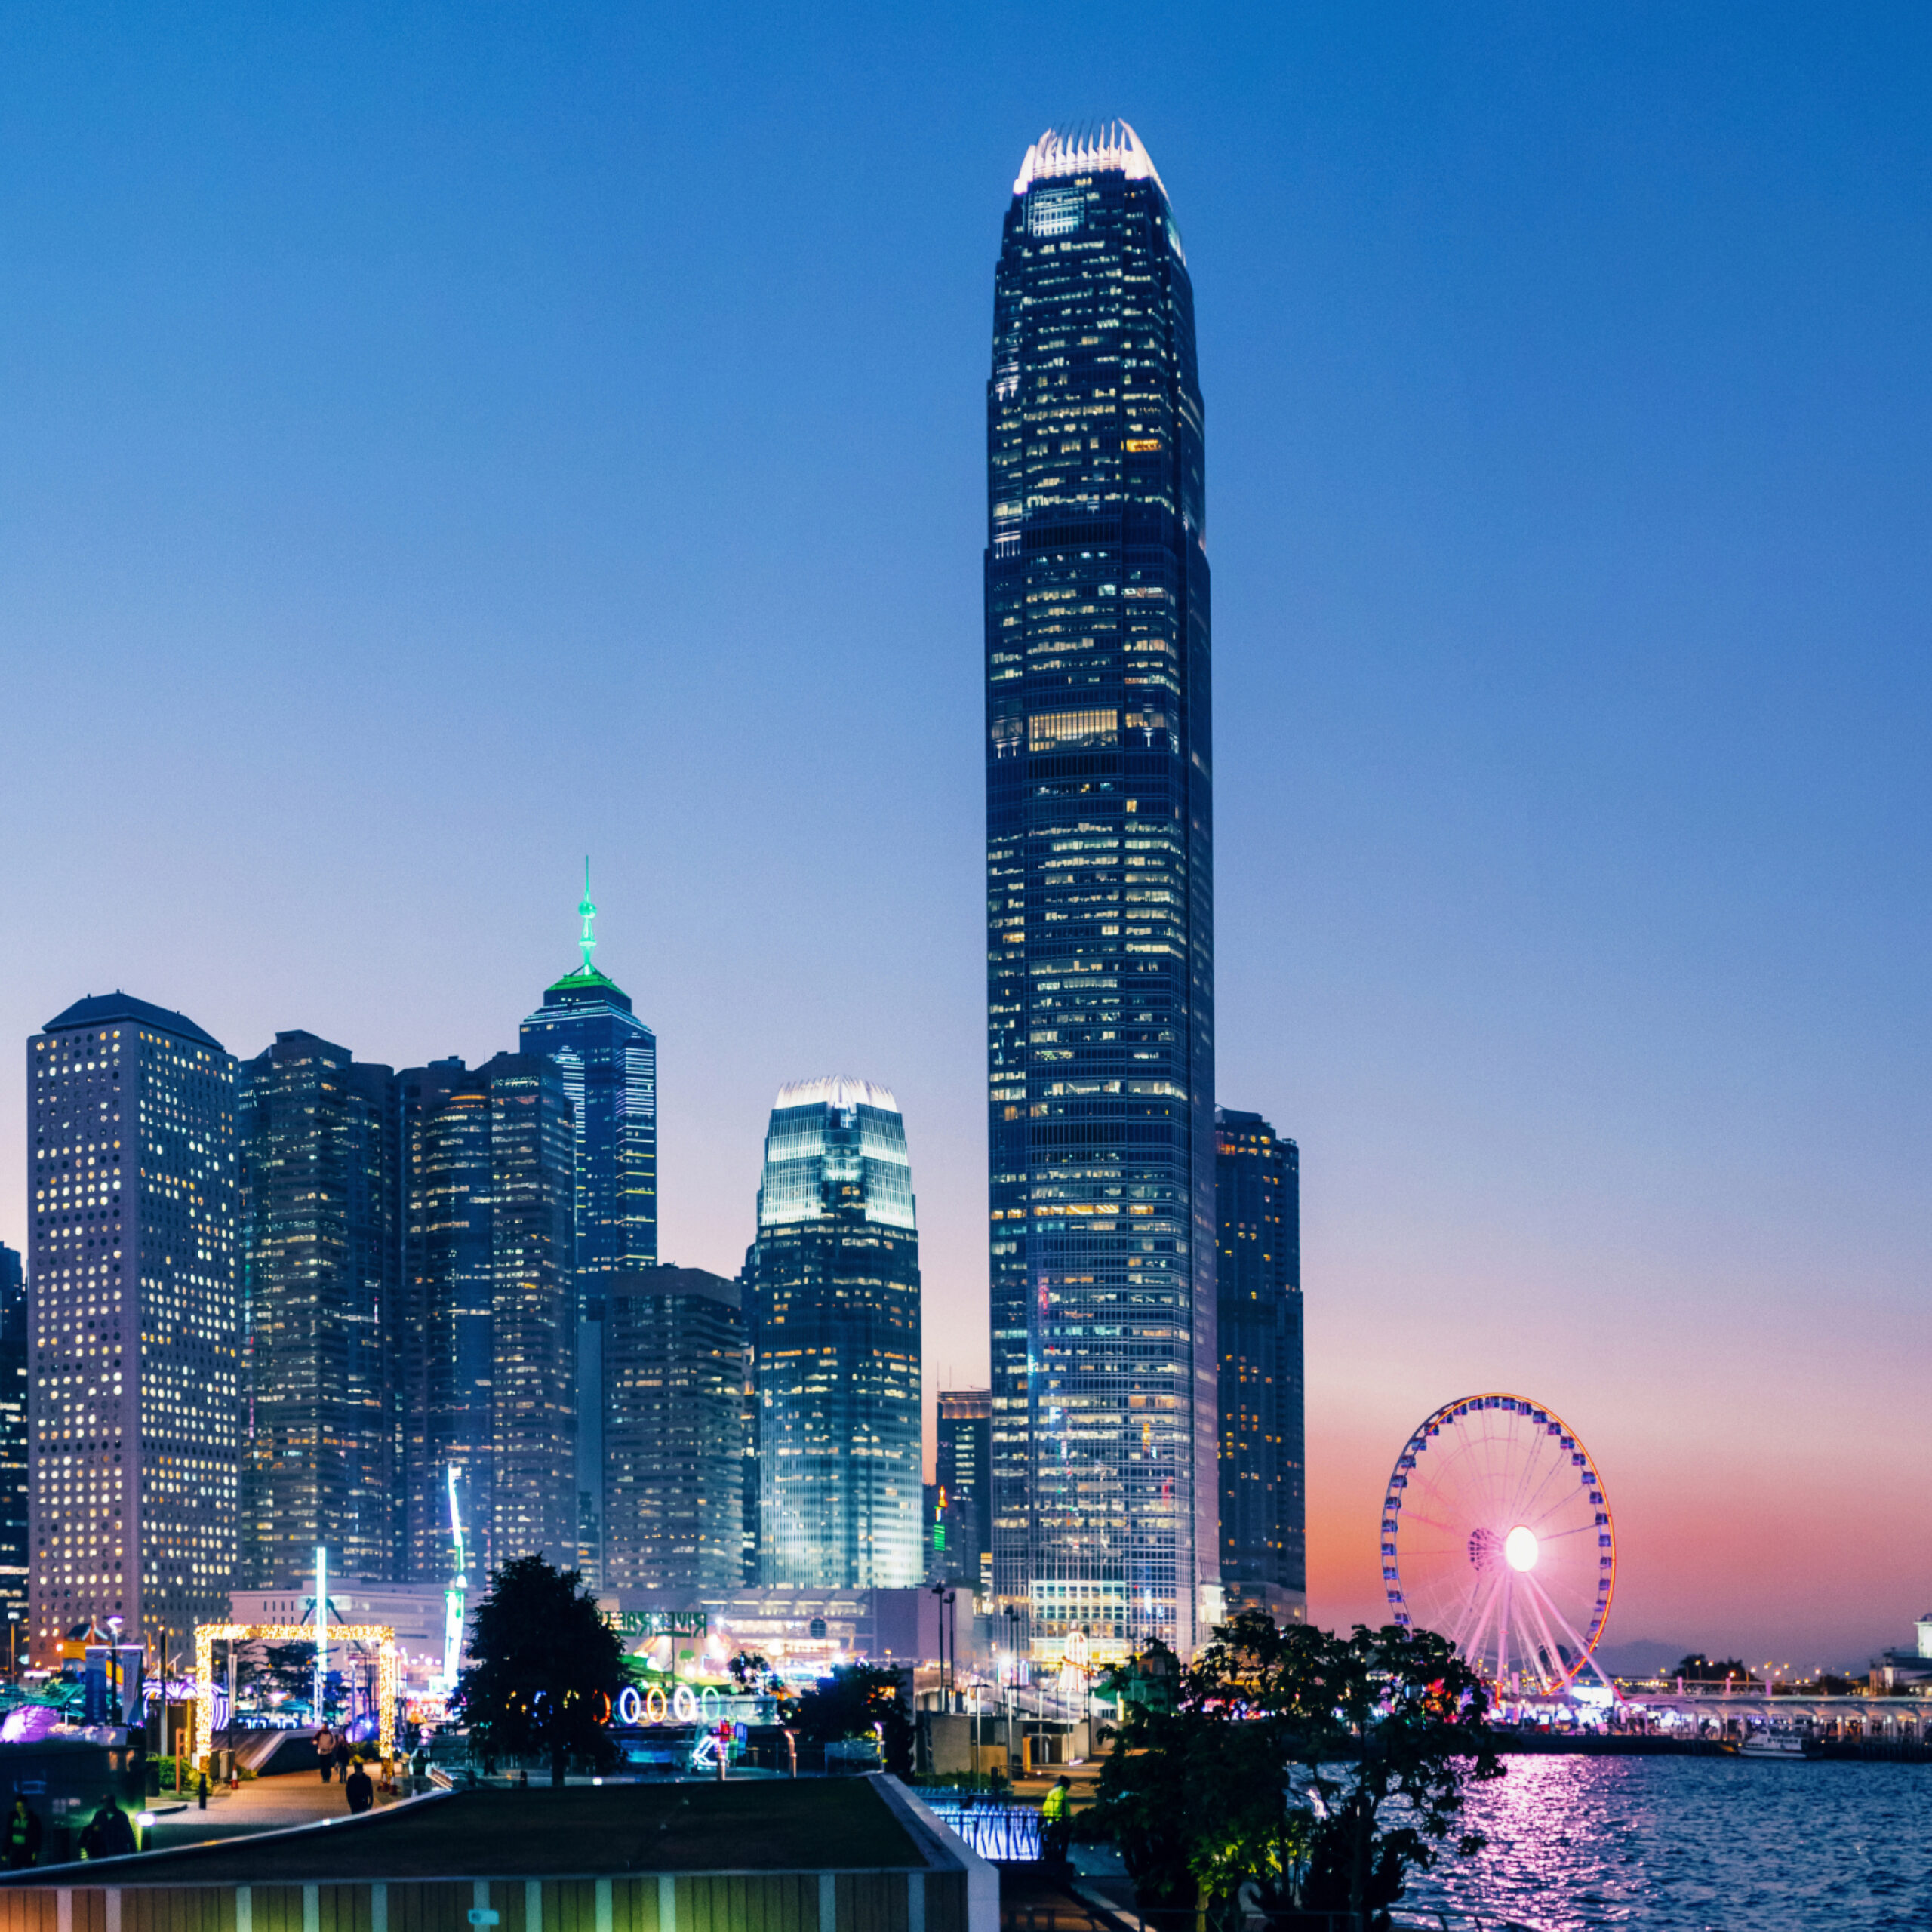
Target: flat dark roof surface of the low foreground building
<point x="579" y="1833"/>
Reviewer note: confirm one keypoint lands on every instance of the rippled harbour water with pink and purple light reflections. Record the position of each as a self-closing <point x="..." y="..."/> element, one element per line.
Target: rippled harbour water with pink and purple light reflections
<point x="1680" y="1844"/>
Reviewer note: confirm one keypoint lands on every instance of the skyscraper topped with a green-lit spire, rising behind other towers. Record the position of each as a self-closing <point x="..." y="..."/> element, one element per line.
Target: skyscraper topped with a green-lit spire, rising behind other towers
<point x="610" y="1064"/>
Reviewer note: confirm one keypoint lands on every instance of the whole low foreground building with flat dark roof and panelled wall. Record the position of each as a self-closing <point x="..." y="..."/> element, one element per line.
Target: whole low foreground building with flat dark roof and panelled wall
<point x="760" y="1856"/>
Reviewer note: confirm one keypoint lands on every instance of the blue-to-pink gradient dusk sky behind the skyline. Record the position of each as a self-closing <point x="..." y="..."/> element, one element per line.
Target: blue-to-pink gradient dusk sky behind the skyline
<point x="447" y="441"/>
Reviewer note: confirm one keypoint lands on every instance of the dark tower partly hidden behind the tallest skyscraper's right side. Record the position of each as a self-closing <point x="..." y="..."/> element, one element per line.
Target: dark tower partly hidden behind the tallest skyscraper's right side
<point x="1259" y="1214"/>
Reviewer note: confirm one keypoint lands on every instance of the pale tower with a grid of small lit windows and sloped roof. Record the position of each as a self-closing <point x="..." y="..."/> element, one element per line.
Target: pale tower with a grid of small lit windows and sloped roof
<point x="134" y="1404"/>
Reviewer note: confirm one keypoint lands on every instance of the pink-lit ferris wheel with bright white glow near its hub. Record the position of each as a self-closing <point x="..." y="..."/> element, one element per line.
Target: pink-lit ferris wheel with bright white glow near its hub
<point x="1496" y="1535"/>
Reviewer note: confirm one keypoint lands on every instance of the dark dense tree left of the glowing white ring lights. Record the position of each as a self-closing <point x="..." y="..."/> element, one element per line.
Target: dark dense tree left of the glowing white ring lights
<point x="544" y="1670"/>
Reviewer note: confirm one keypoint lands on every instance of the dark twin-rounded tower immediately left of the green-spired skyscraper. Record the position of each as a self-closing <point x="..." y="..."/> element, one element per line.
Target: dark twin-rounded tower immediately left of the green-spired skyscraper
<point x="490" y="1388"/>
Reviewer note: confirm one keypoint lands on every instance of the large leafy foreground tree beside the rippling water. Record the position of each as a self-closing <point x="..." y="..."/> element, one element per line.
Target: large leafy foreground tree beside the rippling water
<point x="1197" y="1796"/>
